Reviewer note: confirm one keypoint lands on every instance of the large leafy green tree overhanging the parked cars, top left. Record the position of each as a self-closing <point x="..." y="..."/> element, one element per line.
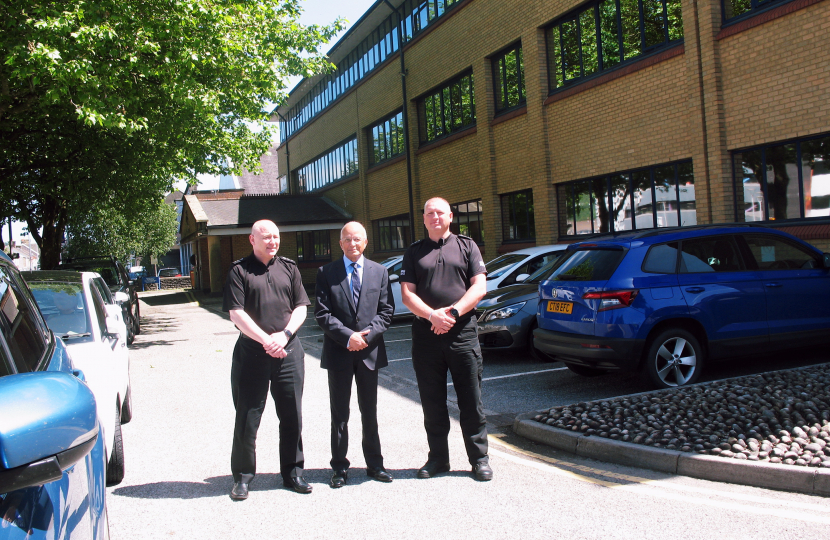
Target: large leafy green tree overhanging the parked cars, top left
<point x="111" y="101"/>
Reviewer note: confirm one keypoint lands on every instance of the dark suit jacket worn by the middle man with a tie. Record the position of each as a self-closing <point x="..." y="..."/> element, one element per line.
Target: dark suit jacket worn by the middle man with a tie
<point x="339" y="318"/>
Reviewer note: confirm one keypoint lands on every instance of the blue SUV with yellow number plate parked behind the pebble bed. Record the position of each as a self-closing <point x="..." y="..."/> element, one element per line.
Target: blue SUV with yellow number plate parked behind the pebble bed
<point x="667" y="301"/>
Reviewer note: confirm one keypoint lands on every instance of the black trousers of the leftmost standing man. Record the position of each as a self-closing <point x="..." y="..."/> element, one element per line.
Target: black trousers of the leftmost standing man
<point x="252" y="372"/>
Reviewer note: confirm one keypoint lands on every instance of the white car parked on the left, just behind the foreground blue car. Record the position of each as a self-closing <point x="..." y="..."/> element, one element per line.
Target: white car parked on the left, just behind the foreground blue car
<point x="80" y="309"/>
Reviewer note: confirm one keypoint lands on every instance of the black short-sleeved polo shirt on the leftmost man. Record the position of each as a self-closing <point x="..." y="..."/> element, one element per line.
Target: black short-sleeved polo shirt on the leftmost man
<point x="267" y="293"/>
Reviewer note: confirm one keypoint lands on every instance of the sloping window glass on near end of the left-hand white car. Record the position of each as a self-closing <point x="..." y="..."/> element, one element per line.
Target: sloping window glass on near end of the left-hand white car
<point x="64" y="307"/>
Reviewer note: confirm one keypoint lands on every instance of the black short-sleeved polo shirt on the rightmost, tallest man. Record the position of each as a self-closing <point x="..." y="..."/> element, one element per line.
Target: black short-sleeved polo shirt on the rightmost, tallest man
<point x="442" y="271"/>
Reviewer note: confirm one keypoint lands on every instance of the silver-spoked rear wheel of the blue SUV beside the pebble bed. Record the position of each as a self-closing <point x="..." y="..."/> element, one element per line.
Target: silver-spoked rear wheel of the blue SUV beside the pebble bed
<point x="675" y="358"/>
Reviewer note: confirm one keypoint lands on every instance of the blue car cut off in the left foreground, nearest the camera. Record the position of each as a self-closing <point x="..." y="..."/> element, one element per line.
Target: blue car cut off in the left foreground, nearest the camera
<point x="52" y="462"/>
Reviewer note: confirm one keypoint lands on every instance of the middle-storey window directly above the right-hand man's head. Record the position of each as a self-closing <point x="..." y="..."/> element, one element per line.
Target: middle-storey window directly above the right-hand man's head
<point x="447" y="110"/>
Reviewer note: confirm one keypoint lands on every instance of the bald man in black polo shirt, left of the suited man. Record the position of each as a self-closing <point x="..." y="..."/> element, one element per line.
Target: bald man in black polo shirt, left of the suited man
<point x="265" y="298"/>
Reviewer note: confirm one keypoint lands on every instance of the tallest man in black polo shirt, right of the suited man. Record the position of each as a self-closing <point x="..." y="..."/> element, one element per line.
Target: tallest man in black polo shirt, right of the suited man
<point x="442" y="280"/>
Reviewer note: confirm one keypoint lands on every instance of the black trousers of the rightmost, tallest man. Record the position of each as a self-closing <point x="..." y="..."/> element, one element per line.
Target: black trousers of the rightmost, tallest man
<point x="459" y="352"/>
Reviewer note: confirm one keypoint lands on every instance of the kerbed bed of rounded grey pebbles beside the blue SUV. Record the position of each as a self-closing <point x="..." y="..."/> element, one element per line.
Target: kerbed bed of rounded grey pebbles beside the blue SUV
<point x="777" y="417"/>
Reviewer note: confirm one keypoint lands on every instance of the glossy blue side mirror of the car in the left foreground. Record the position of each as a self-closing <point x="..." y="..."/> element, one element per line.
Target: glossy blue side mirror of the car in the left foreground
<point x="49" y="423"/>
